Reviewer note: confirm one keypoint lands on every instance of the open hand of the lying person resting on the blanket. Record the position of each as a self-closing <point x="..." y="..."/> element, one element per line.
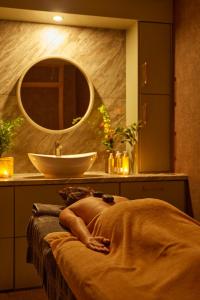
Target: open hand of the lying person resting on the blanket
<point x="98" y="243"/>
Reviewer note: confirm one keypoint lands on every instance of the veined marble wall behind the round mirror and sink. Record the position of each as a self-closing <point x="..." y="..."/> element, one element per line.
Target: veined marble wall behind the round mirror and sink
<point x="100" y="52"/>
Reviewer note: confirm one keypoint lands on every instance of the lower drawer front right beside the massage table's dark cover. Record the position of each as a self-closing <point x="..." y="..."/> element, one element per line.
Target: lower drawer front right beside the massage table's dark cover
<point x="25" y="273"/>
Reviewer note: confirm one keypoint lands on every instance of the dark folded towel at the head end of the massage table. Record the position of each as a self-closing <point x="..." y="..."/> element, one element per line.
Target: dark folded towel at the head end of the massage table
<point x="41" y="209"/>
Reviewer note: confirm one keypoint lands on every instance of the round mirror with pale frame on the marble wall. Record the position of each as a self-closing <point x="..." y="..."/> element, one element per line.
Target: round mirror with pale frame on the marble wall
<point x="55" y="95"/>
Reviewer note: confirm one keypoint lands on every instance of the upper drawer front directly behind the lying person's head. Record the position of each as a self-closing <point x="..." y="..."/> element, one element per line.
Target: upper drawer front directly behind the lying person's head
<point x="25" y="196"/>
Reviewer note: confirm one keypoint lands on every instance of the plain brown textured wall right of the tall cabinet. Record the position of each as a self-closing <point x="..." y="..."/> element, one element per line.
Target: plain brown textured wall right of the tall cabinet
<point x="187" y="94"/>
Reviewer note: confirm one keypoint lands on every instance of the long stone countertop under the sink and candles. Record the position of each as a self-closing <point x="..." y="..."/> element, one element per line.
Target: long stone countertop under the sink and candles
<point x="88" y="177"/>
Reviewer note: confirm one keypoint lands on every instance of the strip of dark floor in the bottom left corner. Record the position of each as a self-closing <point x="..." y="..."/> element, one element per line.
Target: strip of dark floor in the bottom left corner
<point x="34" y="294"/>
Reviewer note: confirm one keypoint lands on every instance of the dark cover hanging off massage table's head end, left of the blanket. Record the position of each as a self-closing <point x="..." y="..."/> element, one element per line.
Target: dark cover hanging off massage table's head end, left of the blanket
<point x="39" y="254"/>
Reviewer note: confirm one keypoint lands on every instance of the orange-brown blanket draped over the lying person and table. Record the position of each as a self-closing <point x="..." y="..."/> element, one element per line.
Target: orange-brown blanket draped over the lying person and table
<point x="155" y="255"/>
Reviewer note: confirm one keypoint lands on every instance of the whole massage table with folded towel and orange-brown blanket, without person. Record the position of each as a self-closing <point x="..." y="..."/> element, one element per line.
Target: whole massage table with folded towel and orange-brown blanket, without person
<point x="159" y="265"/>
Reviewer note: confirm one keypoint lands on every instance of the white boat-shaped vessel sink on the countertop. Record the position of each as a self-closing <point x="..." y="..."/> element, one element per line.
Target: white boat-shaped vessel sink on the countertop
<point x="73" y="165"/>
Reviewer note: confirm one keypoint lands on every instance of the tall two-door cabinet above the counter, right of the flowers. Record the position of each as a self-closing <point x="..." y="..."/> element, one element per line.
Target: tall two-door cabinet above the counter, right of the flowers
<point x="155" y="97"/>
